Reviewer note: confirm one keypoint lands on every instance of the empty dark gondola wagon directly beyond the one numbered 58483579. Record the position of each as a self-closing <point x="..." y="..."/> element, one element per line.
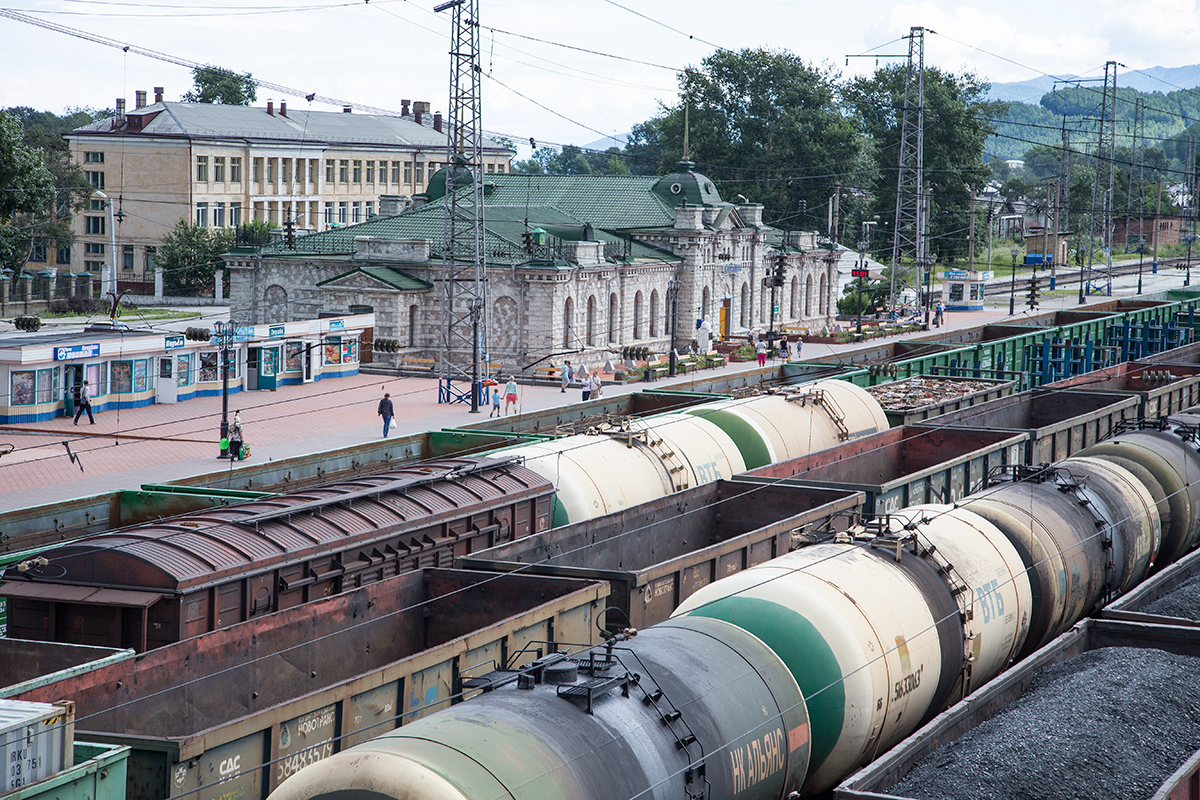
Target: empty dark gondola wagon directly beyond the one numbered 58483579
<point x="658" y="554"/>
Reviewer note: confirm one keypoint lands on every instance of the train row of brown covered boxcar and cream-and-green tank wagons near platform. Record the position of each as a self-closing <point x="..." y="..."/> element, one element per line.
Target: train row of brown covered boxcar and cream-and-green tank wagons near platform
<point x="149" y="586"/>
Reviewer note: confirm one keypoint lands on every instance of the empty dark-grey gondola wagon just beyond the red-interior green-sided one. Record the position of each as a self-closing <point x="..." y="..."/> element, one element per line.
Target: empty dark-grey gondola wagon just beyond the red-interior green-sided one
<point x="1060" y="423"/>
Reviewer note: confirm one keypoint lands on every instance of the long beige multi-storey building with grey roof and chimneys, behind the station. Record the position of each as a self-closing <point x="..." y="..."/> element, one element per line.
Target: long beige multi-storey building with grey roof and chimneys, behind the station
<point x="223" y="166"/>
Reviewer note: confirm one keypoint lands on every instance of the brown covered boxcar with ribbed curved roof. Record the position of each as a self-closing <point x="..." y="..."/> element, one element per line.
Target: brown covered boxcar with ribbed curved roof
<point x="159" y="584"/>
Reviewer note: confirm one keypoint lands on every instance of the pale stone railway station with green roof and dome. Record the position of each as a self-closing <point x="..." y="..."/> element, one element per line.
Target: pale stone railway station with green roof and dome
<point x="581" y="264"/>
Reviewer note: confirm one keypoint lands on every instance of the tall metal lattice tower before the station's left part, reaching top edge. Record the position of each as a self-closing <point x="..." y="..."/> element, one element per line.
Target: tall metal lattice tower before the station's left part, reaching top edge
<point x="464" y="275"/>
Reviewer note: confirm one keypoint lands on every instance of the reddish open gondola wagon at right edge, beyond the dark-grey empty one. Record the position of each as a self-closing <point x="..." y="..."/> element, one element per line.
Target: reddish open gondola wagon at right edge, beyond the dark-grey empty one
<point x="1162" y="389"/>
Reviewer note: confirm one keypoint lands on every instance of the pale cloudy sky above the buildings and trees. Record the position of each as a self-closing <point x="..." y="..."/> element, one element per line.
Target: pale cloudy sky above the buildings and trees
<point x="377" y="53"/>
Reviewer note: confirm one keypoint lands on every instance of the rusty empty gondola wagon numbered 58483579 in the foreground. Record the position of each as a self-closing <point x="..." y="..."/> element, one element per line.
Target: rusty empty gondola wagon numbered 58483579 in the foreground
<point x="236" y="712"/>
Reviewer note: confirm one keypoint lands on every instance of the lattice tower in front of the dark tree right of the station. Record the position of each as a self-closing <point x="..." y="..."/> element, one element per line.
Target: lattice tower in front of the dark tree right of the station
<point x="910" y="233"/>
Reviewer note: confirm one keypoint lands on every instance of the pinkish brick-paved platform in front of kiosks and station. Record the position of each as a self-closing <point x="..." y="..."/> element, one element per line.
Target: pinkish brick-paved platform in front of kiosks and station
<point x="161" y="443"/>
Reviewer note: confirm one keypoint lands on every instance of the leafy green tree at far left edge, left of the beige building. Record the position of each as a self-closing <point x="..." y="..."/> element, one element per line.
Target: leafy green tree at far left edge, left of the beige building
<point x="27" y="195"/>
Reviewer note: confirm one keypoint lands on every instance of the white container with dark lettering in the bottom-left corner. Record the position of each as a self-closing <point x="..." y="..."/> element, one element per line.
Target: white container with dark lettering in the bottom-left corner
<point x="37" y="741"/>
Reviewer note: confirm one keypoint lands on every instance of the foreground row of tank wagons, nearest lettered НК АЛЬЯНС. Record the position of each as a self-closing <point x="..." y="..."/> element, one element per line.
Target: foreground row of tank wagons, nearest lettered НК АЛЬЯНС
<point x="779" y="681"/>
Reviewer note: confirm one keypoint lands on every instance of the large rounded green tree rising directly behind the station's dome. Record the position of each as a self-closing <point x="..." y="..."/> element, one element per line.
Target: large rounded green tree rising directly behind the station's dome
<point x="764" y="124"/>
